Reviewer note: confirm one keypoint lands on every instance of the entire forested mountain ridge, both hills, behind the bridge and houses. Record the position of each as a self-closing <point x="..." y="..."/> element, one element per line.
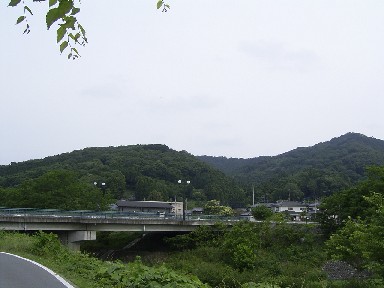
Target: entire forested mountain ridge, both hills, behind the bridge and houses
<point x="152" y="171"/>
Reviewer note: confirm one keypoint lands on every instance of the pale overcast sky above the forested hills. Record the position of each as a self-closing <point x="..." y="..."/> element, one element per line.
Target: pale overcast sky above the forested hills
<point x="237" y="79"/>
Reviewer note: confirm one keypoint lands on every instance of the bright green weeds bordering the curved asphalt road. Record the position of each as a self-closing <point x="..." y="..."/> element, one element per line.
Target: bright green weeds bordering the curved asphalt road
<point x="85" y="271"/>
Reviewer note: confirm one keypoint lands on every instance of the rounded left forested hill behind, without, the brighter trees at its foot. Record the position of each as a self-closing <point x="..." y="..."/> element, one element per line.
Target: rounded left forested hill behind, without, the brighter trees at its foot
<point x="138" y="172"/>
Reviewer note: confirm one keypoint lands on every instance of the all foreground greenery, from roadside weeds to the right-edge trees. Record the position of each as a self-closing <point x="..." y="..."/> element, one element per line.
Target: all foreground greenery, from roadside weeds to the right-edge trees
<point x="267" y="254"/>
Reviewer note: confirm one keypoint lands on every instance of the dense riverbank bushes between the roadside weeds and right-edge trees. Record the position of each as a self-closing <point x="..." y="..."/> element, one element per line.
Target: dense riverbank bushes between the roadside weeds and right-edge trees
<point x="279" y="254"/>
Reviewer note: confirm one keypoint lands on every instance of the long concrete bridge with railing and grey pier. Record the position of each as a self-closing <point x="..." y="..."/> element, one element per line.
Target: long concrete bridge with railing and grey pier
<point x="74" y="227"/>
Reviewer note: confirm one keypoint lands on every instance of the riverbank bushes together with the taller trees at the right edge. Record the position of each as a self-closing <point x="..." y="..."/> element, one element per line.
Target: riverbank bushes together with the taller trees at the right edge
<point x="350" y="237"/>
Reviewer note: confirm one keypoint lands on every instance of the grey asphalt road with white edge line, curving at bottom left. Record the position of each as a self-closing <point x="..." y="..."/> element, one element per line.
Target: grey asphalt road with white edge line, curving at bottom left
<point x="17" y="272"/>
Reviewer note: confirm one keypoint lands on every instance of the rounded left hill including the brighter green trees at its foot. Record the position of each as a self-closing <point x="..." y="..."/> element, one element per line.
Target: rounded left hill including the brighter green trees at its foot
<point x="139" y="172"/>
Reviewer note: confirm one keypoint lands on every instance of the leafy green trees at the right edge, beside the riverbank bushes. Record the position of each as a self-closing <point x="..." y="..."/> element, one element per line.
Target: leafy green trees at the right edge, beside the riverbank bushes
<point x="355" y="220"/>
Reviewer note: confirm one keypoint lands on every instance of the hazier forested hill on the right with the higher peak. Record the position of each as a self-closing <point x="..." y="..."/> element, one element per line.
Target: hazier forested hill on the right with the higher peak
<point x="310" y="172"/>
